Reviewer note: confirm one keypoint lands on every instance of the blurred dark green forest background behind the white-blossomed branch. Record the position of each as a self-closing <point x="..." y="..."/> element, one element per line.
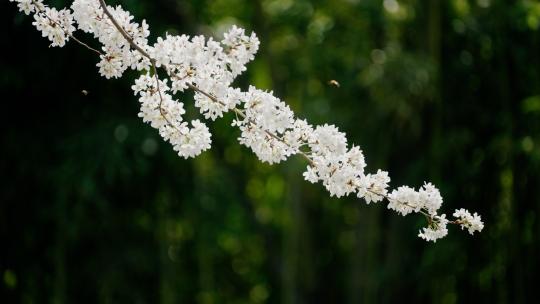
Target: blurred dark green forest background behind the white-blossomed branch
<point x="95" y="208"/>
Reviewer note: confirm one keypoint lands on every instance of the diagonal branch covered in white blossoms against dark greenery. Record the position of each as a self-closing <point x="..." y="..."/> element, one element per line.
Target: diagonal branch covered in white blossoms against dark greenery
<point x="208" y="67"/>
